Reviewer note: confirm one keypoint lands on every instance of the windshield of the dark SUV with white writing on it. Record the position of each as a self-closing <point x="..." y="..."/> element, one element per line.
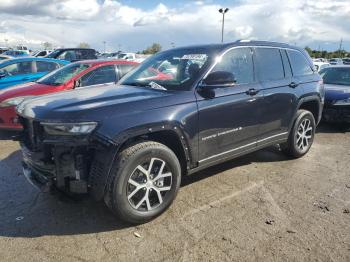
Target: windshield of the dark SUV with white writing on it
<point x="170" y="70"/>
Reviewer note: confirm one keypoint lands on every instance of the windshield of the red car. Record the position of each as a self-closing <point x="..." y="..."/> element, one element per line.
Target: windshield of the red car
<point x="62" y="75"/>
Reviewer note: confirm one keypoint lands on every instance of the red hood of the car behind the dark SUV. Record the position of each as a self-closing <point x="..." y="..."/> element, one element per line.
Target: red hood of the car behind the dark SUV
<point x="27" y="89"/>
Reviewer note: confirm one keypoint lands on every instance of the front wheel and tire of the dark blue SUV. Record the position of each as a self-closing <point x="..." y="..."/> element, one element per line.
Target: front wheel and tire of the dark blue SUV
<point x="145" y="180"/>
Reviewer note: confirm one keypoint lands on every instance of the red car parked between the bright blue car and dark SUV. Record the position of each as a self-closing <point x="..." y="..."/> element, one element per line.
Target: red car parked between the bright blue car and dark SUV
<point x="75" y="75"/>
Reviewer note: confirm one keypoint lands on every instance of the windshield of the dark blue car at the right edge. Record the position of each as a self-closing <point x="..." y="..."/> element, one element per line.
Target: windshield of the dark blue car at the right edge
<point x="336" y="75"/>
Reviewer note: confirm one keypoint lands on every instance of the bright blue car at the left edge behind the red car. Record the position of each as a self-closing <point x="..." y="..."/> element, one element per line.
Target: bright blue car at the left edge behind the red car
<point x="27" y="69"/>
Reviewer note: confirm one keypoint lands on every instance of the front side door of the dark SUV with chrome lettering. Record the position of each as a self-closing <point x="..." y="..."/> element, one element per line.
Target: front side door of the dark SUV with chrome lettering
<point x="228" y="119"/>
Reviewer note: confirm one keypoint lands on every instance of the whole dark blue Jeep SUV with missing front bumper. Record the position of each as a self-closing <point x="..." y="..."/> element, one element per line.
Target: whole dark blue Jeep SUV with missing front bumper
<point x="180" y="111"/>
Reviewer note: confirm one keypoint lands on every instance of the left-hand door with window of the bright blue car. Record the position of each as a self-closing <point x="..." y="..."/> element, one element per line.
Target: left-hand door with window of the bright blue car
<point x="16" y="73"/>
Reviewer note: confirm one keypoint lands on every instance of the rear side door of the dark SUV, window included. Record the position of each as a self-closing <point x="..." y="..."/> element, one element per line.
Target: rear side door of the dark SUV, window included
<point x="280" y="97"/>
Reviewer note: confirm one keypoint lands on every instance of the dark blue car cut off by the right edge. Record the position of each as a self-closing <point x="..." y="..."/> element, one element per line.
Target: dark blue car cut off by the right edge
<point x="337" y="97"/>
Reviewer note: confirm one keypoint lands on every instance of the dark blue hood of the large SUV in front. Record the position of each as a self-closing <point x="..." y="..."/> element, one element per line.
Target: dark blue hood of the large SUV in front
<point x="92" y="103"/>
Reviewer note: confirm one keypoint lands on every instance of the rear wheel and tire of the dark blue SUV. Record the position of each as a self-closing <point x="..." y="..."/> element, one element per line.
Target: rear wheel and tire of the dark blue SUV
<point x="301" y="135"/>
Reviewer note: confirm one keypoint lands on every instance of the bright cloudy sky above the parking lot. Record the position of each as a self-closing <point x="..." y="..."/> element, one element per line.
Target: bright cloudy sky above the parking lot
<point x="132" y="25"/>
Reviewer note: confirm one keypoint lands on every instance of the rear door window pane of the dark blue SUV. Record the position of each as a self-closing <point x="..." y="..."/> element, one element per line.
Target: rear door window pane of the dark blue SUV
<point x="269" y="64"/>
